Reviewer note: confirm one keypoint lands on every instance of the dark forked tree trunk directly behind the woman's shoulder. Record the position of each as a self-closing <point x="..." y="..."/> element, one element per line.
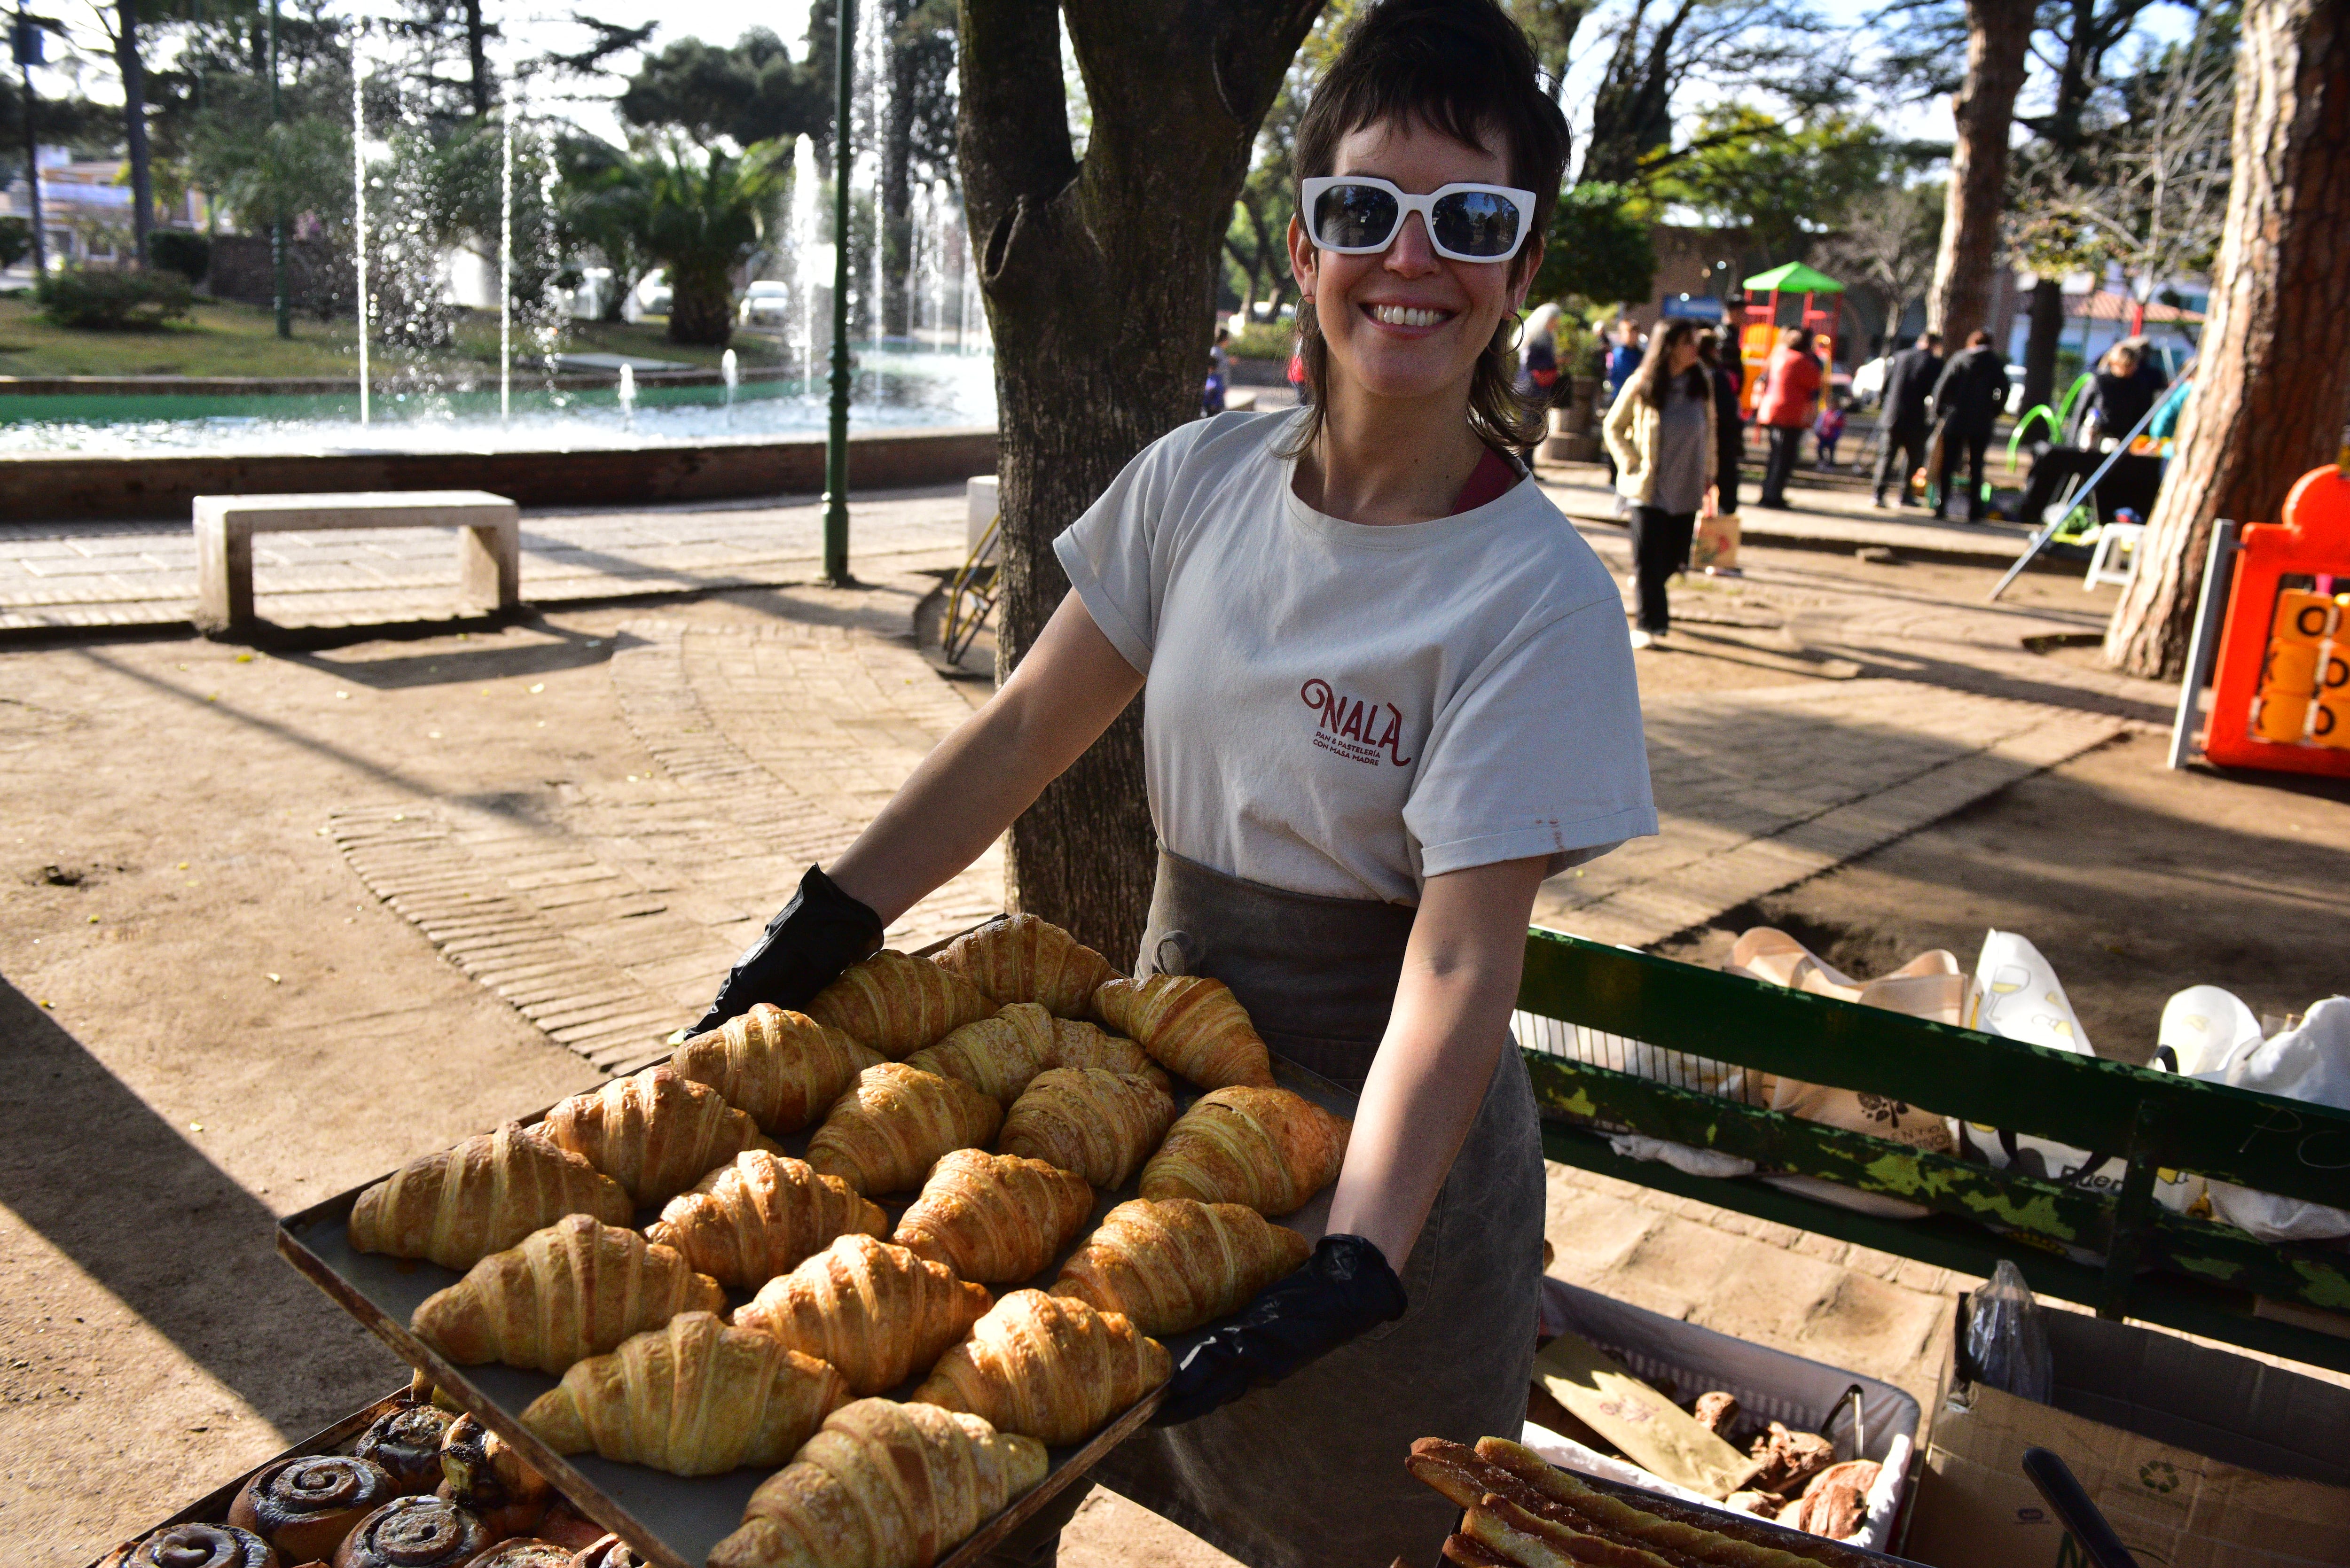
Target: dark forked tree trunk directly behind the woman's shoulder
<point x="1096" y="279"/>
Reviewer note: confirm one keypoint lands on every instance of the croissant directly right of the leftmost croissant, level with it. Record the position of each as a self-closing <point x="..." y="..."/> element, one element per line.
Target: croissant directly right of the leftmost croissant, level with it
<point x="758" y="1217"/>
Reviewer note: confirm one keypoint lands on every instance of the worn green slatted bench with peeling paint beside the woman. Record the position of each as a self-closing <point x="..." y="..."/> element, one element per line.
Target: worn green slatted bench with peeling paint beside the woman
<point x="2161" y="1268"/>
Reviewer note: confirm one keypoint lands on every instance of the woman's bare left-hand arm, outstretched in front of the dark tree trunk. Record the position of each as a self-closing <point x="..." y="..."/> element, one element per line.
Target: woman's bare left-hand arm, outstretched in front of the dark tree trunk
<point x="993" y="768"/>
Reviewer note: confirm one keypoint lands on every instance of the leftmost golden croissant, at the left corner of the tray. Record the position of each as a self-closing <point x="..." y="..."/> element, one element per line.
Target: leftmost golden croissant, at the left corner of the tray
<point x="481" y="1198"/>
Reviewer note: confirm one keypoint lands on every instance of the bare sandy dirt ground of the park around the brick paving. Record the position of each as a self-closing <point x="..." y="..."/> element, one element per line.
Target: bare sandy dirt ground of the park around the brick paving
<point x="210" y="1024"/>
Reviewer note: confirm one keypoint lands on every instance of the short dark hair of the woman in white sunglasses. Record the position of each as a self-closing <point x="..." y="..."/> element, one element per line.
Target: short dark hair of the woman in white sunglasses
<point x="1463" y="69"/>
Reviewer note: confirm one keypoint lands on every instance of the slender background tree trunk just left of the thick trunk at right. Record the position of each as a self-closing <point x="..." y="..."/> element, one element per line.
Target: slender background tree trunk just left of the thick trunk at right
<point x="1999" y="32"/>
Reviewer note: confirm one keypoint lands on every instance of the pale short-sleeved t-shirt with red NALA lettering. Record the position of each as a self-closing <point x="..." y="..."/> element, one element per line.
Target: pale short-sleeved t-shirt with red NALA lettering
<point x="1341" y="709"/>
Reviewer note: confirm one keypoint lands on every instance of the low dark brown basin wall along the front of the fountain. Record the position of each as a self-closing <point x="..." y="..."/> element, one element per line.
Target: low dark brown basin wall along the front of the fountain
<point x="90" y="485"/>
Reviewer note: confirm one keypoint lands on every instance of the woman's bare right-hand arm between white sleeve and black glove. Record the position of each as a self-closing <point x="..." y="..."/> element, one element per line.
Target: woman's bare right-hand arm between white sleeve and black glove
<point x="1444" y="1040"/>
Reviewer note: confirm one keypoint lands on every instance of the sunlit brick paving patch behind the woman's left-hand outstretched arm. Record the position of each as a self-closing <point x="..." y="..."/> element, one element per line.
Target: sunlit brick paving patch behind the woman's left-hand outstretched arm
<point x="610" y="920"/>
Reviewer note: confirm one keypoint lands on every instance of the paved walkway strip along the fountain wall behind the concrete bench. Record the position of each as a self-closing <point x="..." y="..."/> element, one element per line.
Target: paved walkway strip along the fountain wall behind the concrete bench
<point x="145" y="572"/>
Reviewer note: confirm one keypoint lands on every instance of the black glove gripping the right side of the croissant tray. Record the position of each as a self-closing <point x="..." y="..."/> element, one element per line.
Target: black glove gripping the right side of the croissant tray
<point x="1343" y="1292"/>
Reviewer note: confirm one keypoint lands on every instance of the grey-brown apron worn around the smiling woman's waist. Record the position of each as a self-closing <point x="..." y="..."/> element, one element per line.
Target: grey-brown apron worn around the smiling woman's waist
<point x="1312" y="1468"/>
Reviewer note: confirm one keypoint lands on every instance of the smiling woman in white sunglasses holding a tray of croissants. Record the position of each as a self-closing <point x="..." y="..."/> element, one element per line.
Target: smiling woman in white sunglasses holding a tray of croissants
<point x="1390" y="692"/>
